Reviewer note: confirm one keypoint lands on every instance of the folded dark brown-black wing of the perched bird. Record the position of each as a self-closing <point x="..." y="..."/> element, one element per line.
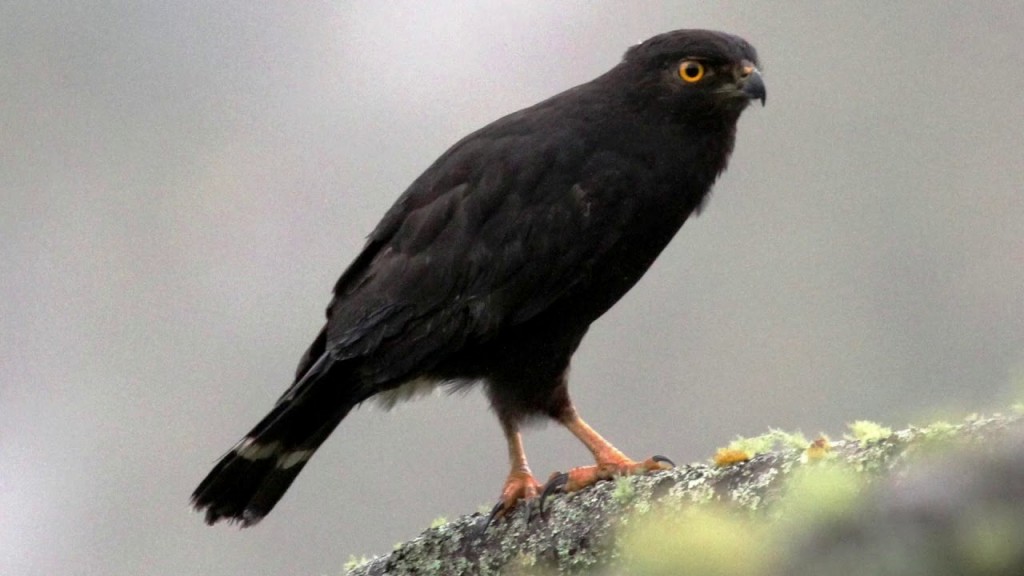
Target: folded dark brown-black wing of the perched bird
<point x="481" y="242"/>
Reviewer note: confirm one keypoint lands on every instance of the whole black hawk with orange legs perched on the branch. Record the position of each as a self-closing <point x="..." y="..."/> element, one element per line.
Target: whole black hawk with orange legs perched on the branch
<point x="491" y="267"/>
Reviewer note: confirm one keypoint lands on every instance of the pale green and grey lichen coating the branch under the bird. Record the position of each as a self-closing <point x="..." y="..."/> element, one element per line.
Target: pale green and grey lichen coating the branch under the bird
<point x="696" y="519"/>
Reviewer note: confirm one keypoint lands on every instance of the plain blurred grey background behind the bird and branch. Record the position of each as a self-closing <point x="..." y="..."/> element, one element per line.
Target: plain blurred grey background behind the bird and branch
<point x="183" y="183"/>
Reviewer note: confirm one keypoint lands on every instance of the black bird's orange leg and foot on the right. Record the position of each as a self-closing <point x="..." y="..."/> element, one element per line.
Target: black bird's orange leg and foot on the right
<point x="611" y="463"/>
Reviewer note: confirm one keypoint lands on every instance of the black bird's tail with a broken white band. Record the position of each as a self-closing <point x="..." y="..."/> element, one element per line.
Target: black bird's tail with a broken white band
<point x="248" y="481"/>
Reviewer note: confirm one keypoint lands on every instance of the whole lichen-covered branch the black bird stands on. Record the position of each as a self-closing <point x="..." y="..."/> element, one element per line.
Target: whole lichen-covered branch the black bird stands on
<point x="757" y="510"/>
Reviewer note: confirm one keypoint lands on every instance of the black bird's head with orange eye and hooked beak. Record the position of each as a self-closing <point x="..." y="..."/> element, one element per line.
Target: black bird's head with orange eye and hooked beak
<point x="694" y="75"/>
